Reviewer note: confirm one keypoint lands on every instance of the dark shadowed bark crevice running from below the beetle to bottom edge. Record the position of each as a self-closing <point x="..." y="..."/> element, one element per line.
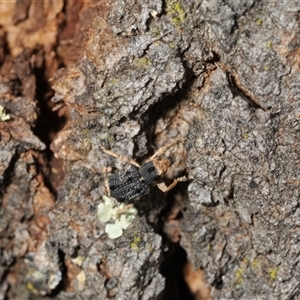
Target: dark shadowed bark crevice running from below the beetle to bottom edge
<point x="167" y="223"/>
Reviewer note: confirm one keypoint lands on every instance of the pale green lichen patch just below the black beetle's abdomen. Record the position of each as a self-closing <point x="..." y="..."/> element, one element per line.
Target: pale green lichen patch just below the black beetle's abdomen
<point x="119" y="215"/>
